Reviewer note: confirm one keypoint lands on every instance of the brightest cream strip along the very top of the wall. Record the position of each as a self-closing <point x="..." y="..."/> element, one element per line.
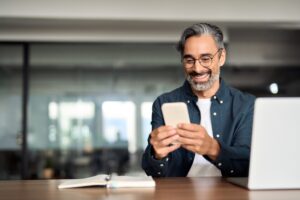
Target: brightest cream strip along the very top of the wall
<point x="160" y="10"/>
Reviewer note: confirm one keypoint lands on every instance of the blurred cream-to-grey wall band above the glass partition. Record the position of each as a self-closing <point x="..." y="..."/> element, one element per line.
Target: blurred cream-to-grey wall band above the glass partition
<point x="134" y="20"/>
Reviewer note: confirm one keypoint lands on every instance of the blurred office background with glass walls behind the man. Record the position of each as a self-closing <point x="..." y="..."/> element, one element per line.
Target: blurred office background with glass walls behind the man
<point x="78" y="78"/>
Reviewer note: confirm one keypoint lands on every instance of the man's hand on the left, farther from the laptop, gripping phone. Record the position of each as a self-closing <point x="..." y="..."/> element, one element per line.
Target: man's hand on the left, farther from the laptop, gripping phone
<point x="163" y="140"/>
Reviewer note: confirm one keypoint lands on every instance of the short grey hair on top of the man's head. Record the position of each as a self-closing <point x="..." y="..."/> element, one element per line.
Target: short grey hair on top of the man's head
<point x="201" y="29"/>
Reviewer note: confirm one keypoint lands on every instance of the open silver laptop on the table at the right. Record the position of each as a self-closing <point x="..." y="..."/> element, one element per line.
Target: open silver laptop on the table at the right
<point x="275" y="146"/>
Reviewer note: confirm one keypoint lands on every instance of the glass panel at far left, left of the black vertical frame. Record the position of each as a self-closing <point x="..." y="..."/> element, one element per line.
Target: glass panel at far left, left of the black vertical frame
<point x="10" y="110"/>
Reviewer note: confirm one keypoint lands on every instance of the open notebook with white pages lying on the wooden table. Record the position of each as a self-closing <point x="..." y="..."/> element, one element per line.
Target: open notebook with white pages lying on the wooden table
<point x="109" y="181"/>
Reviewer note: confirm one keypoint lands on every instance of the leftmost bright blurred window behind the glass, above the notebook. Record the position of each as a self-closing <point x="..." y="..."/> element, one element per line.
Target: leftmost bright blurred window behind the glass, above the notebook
<point x="73" y="120"/>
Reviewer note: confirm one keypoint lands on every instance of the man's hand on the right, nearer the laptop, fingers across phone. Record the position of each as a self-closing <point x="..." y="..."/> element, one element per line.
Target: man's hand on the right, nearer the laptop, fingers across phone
<point x="195" y="138"/>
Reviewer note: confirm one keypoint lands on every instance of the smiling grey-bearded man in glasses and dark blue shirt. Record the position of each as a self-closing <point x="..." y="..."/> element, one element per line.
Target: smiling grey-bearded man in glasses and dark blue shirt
<point x="217" y="141"/>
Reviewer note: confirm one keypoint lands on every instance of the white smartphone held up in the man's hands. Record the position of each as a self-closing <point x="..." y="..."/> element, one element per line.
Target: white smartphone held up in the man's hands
<point x="175" y="113"/>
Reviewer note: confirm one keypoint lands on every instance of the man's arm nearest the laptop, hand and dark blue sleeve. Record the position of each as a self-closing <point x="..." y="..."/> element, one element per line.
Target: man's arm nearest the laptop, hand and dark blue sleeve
<point x="232" y="158"/>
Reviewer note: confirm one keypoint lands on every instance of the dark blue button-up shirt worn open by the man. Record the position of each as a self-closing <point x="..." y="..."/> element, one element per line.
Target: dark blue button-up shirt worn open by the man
<point x="231" y="118"/>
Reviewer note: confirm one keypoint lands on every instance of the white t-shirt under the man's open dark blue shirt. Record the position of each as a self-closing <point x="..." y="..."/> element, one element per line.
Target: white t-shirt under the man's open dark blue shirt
<point x="200" y="166"/>
